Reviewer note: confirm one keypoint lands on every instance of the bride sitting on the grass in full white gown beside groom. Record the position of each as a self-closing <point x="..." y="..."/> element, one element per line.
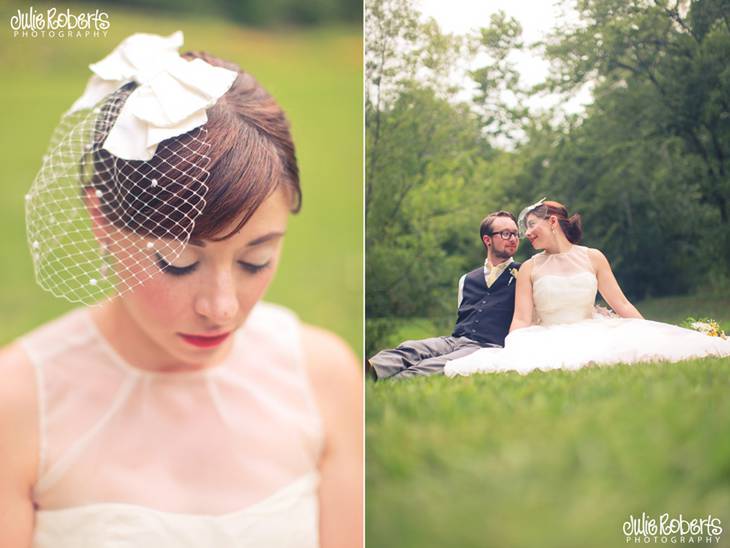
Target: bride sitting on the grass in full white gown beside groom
<point x="555" y="325"/>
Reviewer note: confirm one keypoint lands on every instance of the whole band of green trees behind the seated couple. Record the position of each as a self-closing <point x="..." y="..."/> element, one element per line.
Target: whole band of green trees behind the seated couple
<point x="647" y="164"/>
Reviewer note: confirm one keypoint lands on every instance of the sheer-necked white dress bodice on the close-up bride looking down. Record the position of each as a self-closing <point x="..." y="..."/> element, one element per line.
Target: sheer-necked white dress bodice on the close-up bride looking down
<point x="222" y="457"/>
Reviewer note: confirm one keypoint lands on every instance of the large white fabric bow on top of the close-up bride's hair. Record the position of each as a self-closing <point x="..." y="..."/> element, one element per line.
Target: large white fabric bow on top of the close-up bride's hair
<point x="172" y="97"/>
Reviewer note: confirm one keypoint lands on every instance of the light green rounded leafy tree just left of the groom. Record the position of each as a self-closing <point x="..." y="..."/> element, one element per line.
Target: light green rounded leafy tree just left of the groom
<point x="421" y="213"/>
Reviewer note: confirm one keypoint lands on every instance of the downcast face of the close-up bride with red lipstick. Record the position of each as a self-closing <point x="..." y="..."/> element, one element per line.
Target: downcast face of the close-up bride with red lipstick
<point x="191" y="308"/>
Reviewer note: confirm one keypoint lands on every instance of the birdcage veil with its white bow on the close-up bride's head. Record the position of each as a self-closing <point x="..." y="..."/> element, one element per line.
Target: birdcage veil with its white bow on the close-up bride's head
<point x="125" y="174"/>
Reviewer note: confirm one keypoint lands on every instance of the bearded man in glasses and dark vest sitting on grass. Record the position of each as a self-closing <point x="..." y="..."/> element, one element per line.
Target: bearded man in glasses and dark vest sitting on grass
<point x="486" y="304"/>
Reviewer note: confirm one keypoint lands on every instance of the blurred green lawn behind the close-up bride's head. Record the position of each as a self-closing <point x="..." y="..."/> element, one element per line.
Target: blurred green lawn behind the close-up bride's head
<point x="316" y="75"/>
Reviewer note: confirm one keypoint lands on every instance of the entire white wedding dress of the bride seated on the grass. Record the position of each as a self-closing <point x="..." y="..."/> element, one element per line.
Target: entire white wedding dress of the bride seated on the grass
<point x="568" y="334"/>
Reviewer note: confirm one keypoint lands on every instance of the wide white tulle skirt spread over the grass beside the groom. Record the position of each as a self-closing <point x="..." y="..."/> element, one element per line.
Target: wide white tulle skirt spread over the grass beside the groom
<point x="598" y="341"/>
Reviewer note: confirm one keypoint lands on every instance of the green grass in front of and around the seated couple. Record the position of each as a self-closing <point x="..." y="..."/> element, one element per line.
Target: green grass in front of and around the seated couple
<point x="556" y="459"/>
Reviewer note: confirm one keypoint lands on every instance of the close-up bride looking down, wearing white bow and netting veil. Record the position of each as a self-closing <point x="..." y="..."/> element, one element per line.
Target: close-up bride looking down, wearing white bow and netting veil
<point x="178" y="408"/>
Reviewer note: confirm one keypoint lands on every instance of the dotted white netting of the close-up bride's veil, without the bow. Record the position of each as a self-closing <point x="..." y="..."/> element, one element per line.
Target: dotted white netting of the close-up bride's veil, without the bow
<point x="98" y="224"/>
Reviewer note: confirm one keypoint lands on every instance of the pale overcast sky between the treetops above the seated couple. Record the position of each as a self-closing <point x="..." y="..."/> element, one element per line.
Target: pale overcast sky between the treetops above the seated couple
<point x="537" y="17"/>
